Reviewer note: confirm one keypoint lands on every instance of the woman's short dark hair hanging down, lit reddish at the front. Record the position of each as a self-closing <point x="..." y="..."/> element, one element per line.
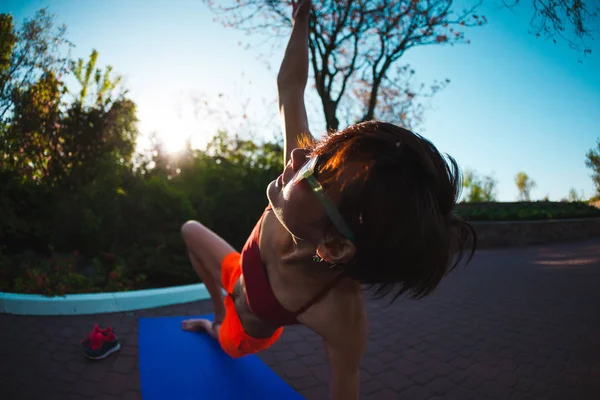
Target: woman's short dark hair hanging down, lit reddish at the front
<point x="398" y="197"/>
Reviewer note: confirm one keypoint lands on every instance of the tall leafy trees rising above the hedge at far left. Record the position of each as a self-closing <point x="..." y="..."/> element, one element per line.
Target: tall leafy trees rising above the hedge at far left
<point x="47" y="139"/>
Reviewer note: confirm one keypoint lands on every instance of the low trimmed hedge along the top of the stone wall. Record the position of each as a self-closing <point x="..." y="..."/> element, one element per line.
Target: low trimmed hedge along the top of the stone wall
<point x="522" y="211"/>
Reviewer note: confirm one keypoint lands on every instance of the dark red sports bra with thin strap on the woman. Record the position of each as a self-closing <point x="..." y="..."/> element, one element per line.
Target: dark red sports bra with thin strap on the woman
<point x="259" y="295"/>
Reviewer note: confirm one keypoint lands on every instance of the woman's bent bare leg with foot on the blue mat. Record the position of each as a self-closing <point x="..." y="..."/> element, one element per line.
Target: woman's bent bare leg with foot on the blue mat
<point x="206" y="251"/>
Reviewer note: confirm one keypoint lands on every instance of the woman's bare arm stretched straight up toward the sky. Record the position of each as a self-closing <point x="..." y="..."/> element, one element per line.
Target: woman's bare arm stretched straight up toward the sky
<point x="292" y="79"/>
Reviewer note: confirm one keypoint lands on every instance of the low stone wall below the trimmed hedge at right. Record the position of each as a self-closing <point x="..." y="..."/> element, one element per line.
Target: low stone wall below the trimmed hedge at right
<point x="519" y="233"/>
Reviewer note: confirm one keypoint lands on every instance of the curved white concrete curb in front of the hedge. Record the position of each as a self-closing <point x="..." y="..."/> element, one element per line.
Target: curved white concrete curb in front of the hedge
<point x="100" y="303"/>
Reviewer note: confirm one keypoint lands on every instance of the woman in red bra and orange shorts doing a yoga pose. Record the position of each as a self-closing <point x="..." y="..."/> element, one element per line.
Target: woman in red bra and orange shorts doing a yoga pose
<point x="371" y="204"/>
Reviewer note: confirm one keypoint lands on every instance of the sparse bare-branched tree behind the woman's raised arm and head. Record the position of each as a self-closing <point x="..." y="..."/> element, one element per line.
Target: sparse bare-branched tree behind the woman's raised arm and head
<point x="355" y="45"/>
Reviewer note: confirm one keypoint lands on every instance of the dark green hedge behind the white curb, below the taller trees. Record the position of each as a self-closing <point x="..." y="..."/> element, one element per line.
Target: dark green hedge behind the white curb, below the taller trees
<point x="121" y="230"/>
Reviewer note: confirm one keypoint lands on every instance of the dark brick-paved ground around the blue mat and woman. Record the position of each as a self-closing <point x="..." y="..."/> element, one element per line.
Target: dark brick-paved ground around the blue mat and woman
<point x="517" y="324"/>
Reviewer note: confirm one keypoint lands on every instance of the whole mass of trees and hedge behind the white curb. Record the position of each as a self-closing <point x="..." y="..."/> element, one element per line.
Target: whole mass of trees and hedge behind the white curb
<point x="80" y="213"/>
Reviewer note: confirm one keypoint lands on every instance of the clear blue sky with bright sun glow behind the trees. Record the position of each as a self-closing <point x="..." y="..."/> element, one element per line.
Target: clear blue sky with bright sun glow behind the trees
<point x="515" y="103"/>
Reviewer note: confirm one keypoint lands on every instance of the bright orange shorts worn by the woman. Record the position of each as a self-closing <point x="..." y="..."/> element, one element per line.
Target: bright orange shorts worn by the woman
<point x="232" y="337"/>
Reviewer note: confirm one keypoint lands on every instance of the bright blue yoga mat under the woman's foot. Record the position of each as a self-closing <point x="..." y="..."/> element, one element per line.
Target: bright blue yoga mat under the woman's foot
<point x="175" y="364"/>
